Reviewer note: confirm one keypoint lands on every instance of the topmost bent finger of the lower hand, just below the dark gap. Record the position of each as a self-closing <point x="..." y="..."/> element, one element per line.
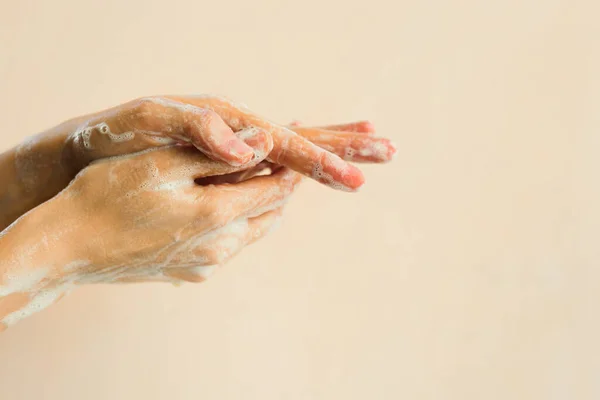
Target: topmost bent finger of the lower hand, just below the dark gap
<point x="249" y="198"/>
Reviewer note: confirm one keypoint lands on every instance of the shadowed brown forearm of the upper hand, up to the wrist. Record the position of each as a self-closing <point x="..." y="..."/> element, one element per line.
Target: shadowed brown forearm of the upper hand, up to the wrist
<point x="32" y="173"/>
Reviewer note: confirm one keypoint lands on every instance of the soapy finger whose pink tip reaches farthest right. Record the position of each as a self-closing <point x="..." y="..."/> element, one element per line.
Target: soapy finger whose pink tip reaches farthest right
<point x="350" y="146"/>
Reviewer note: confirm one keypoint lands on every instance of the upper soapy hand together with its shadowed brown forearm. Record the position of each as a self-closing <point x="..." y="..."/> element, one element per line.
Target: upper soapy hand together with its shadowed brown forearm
<point x="44" y="164"/>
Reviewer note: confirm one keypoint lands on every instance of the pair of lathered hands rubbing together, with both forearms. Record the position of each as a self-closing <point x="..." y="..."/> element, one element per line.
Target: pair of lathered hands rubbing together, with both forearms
<point x="150" y="206"/>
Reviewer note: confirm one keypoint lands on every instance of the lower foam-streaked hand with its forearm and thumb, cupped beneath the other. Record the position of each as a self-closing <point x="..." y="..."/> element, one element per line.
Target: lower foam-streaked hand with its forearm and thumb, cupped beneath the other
<point x="139" y="217"/>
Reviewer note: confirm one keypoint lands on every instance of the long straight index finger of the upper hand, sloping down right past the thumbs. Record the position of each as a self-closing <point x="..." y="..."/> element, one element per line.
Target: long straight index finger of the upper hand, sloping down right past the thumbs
<point x="289" y="149"/>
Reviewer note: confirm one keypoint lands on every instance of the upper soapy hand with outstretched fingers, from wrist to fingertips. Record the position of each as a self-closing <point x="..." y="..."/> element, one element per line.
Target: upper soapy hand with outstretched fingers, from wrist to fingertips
<point x="209" y="123"/>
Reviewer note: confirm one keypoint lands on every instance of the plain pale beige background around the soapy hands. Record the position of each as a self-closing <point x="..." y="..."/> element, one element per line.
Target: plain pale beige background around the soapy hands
<point x="465" y="269"/>
